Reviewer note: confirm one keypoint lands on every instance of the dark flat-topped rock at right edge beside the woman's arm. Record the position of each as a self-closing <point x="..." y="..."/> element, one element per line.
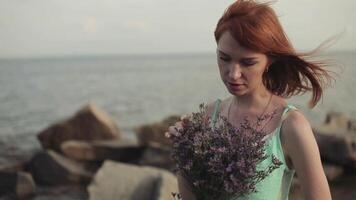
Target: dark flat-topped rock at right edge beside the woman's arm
<point x="337" y="148"/>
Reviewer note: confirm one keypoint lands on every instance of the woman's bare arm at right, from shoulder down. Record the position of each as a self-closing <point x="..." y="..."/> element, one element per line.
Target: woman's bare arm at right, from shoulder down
<point x="303" y="150"/>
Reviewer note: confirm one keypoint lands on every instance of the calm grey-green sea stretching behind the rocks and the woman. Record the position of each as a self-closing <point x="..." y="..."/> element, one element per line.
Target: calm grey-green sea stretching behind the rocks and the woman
<point x="132" y="89"/>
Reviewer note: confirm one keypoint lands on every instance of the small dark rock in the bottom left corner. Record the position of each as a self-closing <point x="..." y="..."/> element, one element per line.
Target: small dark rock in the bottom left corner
<point x="19" y="185"/>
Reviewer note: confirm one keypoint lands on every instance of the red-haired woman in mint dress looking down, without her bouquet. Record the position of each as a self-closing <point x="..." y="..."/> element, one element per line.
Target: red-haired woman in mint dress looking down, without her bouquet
<point x="260" y="68"/>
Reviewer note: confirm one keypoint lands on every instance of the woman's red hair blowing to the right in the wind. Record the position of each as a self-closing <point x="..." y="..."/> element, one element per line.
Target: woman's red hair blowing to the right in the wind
<point x="255" y="26"/>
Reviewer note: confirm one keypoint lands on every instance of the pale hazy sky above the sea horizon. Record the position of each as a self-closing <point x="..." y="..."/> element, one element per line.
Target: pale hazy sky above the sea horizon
<point x="47" y="28"/>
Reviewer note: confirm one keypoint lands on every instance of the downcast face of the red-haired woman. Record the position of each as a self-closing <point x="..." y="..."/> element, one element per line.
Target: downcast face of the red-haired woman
<point x="241" y="69"/>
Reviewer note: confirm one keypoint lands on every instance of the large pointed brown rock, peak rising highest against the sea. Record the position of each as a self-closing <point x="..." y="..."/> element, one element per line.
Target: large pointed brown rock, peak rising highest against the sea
<point x="90" y="123"/>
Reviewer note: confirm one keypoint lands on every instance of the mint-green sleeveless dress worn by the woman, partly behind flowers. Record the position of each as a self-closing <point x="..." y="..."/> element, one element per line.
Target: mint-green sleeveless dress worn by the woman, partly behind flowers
<point x="275" y="186"/>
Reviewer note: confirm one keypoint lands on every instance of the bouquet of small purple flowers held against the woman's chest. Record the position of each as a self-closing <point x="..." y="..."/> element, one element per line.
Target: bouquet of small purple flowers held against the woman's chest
<point x="219" y="161"/>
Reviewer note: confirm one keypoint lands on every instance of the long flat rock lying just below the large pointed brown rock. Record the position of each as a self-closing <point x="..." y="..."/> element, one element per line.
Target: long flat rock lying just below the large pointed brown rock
<point x="119" y="150"/>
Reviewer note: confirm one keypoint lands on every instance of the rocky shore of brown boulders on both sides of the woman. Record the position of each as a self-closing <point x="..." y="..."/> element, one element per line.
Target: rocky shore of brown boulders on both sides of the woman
<point x="87" y="157"/>
